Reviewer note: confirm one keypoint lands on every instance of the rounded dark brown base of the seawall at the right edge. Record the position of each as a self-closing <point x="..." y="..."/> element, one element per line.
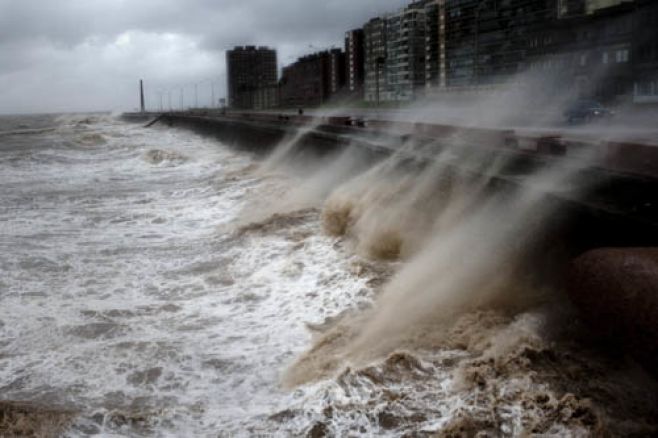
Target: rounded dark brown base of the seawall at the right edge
<point x="616" y="290"/>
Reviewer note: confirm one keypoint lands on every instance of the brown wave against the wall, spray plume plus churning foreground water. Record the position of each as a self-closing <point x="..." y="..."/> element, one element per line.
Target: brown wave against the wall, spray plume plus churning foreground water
<point x="467" y="336"/>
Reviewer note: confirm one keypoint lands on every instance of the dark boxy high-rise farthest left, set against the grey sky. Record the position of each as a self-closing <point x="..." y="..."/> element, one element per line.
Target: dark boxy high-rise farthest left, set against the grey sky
<point x="252" y="77"/>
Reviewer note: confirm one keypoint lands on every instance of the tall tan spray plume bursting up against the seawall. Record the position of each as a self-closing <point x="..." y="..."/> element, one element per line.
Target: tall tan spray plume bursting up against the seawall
<point x="467" y="241"/>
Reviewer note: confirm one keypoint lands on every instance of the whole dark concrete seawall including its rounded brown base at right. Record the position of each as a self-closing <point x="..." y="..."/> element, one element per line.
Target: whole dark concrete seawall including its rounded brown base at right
<point x="619" y="211"/>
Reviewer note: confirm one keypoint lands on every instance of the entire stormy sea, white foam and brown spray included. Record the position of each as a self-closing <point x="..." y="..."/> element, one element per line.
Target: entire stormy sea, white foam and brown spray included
<point x="155" y="282"/>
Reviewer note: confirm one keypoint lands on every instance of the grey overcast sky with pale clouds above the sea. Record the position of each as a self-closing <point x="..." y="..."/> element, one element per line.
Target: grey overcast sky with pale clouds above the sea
<point x="87" y="55"/>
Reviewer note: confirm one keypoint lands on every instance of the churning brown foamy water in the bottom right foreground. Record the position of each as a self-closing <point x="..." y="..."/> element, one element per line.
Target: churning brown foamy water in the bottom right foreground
<point x="489" y="372"/>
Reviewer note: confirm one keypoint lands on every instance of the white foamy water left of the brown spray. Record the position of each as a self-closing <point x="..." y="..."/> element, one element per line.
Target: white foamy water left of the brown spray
<point x="124" y="289"/>
